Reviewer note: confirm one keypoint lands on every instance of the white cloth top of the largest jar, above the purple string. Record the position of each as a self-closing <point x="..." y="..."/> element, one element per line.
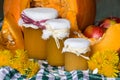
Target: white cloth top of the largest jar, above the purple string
<point x="38" y="13"/>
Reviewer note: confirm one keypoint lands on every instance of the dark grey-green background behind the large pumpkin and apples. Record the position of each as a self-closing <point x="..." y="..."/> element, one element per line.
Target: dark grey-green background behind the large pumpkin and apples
<point x="104" y="8"/>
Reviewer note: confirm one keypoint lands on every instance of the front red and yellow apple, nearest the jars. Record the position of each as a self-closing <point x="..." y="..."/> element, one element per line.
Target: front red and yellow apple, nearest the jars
<point x="93" y="31"/>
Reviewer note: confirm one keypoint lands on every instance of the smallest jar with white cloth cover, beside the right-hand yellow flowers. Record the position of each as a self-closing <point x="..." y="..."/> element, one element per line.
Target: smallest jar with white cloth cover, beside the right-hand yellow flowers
<point x="77" y="51"/>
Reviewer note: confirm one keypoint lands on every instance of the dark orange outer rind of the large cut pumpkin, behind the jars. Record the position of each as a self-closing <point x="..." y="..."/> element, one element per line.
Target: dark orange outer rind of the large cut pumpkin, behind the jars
<point x="86" y="13"/>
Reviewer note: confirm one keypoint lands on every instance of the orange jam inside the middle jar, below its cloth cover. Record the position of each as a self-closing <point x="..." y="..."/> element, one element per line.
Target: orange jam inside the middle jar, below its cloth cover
<point x="55" y="57"/>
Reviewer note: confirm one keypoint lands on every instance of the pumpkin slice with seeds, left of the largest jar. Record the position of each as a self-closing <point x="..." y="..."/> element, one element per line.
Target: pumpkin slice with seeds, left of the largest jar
<point x="11" y="33"/>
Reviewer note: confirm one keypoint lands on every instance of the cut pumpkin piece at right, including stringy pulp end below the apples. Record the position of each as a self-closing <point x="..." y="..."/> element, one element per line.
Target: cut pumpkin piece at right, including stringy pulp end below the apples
<point x="109" y="41"/>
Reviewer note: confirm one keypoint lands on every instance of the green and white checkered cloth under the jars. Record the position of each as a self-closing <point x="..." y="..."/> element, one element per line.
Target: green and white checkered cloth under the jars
<point x="48" y="72"/>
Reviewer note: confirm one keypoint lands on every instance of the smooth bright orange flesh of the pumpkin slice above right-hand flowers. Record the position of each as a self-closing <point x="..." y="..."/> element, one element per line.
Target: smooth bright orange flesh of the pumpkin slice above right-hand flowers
<point x="110" y="40"/>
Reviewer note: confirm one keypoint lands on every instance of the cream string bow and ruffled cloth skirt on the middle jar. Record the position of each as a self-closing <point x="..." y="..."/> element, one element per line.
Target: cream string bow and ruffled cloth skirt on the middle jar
<point x="57" y="34"/>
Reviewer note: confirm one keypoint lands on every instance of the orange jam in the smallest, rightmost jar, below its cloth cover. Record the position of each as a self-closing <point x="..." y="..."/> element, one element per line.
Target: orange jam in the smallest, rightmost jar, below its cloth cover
<point x="73" y="62"/>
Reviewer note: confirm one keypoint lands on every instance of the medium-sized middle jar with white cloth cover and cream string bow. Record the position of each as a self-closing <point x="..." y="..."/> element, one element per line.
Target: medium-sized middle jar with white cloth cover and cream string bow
<point x="56" y="30"/>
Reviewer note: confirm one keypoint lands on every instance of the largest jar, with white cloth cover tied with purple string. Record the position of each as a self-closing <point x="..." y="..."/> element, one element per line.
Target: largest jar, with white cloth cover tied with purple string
<point x="33" y="20"/>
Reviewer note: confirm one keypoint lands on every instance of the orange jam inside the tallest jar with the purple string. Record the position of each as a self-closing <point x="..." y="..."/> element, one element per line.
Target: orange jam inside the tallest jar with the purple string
<point x="34" y="44"/>
